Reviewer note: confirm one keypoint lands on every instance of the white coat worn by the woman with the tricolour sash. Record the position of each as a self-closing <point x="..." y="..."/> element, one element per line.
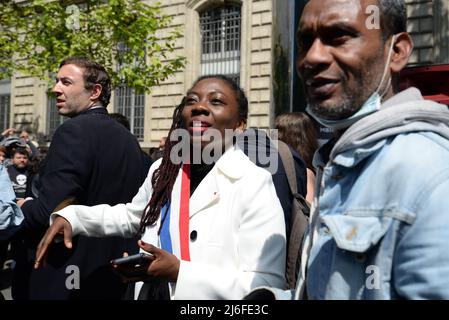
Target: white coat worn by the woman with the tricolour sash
<point x="240" y="243"/>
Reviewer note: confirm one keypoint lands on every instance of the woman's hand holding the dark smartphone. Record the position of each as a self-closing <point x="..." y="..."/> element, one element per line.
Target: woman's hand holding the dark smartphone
<point x="165" y="266"/>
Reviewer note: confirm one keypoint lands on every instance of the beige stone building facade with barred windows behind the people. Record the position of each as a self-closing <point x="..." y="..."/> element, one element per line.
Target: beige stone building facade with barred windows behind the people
<point x="257" y="48"/>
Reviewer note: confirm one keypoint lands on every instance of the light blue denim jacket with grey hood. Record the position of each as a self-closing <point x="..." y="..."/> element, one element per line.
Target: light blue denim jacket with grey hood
<point x="380" y="219"/>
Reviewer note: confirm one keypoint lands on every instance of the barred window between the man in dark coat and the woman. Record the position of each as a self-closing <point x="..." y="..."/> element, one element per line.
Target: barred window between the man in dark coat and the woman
<point x="132" y="105"/>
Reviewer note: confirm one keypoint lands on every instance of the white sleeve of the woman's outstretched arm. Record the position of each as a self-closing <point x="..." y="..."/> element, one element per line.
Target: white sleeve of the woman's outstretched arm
<point x="105" y="220"/>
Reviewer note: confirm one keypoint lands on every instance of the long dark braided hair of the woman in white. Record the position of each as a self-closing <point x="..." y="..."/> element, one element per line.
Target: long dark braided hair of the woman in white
<point x="164" y="177"/>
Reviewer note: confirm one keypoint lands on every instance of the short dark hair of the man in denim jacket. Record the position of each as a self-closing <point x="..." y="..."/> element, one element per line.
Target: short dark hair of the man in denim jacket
<point x="393" y="17"/>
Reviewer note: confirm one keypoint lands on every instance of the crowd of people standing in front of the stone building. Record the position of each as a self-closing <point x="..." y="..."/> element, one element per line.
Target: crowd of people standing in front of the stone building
<point x="210" y="212"/>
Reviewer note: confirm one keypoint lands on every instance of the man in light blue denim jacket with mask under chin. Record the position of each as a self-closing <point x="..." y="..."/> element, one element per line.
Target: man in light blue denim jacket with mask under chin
<point x="379" y="226"/>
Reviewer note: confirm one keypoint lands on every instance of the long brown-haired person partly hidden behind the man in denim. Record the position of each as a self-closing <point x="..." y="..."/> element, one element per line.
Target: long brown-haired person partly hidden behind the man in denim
<point x="298" y="130"/>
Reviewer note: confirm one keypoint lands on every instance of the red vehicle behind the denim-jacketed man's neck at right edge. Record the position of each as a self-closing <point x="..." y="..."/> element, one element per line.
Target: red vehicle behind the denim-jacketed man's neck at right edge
<point x="433" y="81"/>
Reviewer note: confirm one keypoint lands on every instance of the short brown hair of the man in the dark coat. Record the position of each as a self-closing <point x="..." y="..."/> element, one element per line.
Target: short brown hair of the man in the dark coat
<point x="94" y="73"/>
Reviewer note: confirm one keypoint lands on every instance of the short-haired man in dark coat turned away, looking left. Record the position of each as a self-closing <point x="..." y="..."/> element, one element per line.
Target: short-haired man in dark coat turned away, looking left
<point x="92" y="160"/>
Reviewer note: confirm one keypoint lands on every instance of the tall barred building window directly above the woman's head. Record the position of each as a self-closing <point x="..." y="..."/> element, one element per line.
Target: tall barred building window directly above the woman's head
<point x="220" y="41"/>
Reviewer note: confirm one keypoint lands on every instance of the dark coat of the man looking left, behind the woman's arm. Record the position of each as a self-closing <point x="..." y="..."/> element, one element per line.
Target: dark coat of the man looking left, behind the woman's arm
<point x="95" y="160"/>
